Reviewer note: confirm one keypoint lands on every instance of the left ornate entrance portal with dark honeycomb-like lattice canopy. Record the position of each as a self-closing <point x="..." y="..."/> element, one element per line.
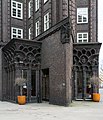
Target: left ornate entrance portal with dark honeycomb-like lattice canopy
<point x="22" y="58"/>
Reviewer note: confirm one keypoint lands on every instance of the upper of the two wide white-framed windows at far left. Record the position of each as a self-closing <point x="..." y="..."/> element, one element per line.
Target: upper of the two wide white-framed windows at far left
<point x="17" y="9"/>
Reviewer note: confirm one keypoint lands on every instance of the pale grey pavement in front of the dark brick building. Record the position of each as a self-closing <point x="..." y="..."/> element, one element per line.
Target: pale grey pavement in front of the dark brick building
<point x="78" y="110"/>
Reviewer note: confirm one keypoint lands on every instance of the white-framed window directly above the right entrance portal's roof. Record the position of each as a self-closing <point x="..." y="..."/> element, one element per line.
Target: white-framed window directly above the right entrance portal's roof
<point x="82" y="37"/>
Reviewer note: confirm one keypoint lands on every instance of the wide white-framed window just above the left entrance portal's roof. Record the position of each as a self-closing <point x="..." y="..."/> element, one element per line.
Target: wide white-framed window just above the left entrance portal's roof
<point x="16" y="32"/>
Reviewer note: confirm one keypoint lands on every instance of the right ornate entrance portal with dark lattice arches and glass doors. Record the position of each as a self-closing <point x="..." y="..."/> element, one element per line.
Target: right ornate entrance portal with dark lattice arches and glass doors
<point x="85" y="64"/>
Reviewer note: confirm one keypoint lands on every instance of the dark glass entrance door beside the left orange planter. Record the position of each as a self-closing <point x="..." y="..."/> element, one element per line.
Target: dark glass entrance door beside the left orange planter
<point x="29" y="88"/>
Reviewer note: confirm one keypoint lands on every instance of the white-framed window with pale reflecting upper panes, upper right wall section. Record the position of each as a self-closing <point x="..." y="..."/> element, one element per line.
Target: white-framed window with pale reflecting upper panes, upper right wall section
<point x="82" y="15"/>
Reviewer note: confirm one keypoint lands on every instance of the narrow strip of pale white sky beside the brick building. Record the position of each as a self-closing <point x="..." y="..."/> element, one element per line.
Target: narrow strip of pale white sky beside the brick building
<point x="100" y="29"/>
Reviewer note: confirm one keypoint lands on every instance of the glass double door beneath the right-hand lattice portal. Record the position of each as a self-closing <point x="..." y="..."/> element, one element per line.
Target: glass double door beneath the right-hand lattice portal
<point x="83" y="87"/>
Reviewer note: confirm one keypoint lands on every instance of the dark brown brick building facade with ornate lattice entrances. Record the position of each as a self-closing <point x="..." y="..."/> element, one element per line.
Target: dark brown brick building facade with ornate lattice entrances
<point x="58" y="48"/>
